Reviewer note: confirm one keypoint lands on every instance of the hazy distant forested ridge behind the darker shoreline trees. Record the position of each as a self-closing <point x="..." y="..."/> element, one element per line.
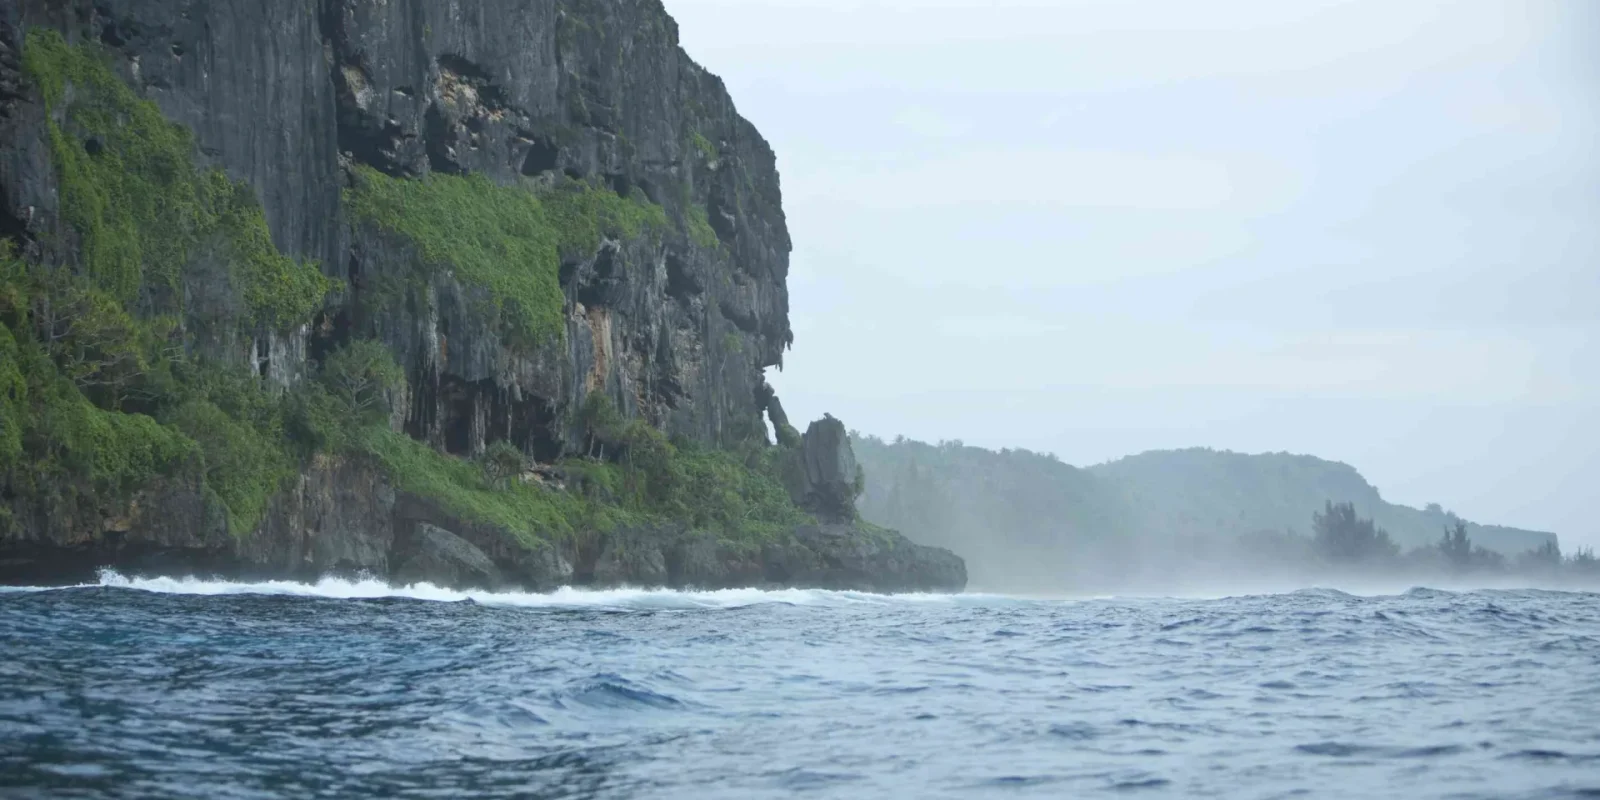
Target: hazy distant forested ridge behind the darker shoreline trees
<point x="1026" y="518"/>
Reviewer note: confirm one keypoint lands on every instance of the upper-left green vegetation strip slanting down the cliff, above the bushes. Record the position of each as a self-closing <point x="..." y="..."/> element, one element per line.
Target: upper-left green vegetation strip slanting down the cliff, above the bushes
<point x="142" y="209"/>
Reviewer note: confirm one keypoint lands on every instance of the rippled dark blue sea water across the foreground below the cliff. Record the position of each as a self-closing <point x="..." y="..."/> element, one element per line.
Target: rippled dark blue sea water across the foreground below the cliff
<point x="159" y="689"/>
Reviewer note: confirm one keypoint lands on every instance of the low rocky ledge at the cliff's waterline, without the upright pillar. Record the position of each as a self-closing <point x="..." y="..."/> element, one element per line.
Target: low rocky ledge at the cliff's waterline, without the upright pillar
<point x="407" y="550"/>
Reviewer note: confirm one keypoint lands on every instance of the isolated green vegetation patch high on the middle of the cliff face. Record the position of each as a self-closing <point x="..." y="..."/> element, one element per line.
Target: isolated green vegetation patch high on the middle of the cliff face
<point x="506" y="241"/>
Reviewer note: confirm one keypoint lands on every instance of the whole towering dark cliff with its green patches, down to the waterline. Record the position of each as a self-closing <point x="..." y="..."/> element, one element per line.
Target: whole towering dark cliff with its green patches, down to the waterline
<point x="532" y="206"/>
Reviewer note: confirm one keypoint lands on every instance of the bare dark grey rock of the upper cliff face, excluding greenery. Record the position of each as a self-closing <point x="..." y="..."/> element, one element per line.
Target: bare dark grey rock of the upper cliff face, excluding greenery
<point x="292" y="97"/>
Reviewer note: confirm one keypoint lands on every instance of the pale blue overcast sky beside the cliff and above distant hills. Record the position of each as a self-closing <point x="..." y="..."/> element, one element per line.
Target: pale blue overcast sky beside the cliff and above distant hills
<point x="1366" y="231"/>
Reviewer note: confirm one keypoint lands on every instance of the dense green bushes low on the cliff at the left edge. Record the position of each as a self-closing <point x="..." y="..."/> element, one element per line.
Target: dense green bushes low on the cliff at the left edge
<point x="97" y="406"/>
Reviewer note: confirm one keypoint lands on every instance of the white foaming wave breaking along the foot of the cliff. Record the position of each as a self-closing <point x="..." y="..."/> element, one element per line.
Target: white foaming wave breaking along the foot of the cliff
<point x="561" y="599"/>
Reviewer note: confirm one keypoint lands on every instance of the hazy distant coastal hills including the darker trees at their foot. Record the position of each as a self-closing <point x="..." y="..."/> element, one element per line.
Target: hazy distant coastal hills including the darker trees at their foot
<point x="1186" y="521"/>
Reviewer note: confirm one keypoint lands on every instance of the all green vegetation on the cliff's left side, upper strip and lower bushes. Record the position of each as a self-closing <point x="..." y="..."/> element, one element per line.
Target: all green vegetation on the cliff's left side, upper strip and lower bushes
<point x="100" y="398"/>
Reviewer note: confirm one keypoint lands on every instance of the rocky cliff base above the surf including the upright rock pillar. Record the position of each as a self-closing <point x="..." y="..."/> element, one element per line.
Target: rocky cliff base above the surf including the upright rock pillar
<point x="345" y="519"/>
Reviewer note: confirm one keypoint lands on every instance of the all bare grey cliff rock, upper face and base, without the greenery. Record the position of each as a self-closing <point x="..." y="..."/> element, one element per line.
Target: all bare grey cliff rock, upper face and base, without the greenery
<point x="674" y="327"/>
